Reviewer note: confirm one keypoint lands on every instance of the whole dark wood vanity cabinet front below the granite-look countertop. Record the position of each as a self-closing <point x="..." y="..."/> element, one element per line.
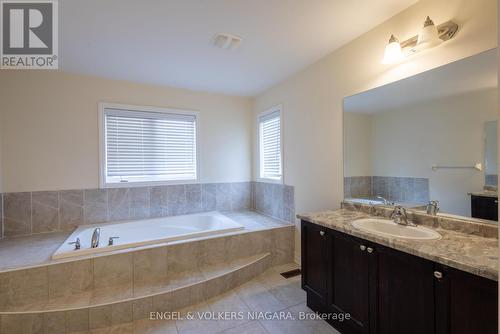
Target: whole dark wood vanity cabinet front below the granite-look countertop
<point x="386" y="291"/>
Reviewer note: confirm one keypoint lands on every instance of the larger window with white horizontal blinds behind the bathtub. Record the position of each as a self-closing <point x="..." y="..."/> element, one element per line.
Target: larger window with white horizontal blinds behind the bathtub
<point x="146" y="145"/>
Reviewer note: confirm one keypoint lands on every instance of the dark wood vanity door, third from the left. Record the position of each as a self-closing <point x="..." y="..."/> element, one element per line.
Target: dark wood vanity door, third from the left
<point x="405" y="299"/>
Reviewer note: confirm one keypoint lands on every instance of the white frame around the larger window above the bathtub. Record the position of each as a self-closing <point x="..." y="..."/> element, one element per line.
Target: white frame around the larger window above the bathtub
<point x="103" y="184"/>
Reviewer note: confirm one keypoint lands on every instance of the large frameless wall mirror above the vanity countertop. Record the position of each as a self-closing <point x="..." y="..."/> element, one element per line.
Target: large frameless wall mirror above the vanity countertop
<point x="431" y="137"/>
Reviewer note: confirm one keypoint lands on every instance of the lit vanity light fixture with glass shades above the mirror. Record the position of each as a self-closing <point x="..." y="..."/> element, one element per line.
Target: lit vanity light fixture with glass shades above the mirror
<point x="429" y="37"/>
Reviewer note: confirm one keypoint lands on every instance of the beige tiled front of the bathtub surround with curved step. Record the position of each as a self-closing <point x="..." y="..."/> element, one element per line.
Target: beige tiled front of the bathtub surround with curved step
<point x="95" y="292"/>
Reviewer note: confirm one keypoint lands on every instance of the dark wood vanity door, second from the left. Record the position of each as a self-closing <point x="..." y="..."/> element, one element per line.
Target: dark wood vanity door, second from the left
<point x="349" y="282"/>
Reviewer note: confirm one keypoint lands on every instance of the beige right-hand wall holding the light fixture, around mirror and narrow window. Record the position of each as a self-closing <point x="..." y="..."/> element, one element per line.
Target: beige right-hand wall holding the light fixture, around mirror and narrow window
<point x="312" y="99"/>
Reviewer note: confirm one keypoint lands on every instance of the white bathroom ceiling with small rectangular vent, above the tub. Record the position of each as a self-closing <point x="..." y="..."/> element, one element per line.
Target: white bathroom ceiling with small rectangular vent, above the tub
<point x="168" y="42"/>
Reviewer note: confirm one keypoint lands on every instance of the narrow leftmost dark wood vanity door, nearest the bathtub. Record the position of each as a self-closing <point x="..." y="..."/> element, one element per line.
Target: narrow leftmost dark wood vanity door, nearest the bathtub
<point x="314" y="261"/>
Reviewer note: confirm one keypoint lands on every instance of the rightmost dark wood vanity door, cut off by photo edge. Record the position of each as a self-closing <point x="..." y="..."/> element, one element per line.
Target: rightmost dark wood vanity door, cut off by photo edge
<point x="465" y="303"/>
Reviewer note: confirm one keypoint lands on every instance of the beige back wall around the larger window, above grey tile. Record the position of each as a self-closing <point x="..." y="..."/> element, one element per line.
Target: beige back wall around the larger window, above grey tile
<point x="49" y="128"/>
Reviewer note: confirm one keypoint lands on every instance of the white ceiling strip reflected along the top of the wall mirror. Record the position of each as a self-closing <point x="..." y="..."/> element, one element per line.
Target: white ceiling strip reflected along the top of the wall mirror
<point x="470" y="74"/>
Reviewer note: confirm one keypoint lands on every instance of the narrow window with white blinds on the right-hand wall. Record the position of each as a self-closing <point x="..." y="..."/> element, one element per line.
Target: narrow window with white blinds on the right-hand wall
<point x="270" y="144"/>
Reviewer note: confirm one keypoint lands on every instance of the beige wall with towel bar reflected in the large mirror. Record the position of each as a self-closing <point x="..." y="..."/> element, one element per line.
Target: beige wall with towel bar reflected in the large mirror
<point x="448" y="131"/>
